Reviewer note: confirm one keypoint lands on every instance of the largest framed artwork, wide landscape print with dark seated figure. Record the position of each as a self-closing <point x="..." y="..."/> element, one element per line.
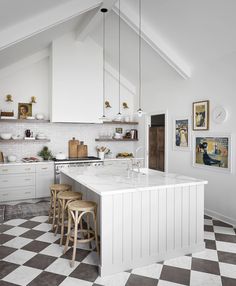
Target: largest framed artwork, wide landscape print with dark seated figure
<point x="213" y="152"/>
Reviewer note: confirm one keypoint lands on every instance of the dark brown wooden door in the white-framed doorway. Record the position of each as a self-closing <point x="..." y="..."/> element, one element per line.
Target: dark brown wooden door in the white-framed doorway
<point x="157" y="148"/>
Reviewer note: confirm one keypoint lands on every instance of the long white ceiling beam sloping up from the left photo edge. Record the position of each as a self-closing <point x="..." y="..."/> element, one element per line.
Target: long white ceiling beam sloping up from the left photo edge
<point x="44" y="21"/>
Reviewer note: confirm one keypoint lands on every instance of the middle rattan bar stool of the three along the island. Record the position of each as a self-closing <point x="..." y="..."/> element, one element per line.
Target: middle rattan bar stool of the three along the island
<point x="64" y="198"/>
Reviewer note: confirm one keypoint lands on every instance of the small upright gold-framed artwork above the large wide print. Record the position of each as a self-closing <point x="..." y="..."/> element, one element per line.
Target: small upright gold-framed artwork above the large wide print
<point x="201" y="115"/>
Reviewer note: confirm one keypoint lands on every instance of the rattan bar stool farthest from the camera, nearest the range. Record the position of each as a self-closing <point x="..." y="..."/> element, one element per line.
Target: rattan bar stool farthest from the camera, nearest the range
<point x="54" y="190"/>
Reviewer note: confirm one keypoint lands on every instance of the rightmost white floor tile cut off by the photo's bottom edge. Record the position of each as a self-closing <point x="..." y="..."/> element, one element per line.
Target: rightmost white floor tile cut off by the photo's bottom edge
<point x="204" y="279"/>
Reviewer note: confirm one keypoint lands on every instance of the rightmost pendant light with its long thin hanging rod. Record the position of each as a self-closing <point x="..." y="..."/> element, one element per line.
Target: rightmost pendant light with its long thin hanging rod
<point x="140" y="111"/>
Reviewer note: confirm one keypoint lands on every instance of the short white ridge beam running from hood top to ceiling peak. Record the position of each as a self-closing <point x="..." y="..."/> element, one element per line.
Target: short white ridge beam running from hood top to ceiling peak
<point x="93" y="21"/>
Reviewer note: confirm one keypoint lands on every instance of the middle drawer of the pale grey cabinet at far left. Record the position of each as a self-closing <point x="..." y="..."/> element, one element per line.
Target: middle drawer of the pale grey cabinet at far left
<point x="17" y="180"/>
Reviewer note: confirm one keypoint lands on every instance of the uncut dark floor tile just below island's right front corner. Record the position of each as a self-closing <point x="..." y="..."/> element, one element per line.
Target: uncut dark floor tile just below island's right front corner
<point x="206" y="266"/>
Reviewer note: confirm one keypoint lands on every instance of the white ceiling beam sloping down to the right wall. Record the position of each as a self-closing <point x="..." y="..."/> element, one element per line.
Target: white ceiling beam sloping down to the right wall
<point x="151" y="37"/>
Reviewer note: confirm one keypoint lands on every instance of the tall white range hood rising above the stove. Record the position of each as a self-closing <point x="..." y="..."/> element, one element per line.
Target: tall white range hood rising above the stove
<point x="76" y="71"/>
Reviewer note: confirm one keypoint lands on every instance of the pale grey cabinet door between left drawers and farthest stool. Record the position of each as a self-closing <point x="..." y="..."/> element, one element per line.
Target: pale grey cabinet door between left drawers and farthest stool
<point x="43" y="182"/>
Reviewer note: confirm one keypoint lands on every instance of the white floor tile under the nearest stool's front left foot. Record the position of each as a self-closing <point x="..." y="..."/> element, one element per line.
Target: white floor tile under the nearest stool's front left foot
<point x="61" y="266"/>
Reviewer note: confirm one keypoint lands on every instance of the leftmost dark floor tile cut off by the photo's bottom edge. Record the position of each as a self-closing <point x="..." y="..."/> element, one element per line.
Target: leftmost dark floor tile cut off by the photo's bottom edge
<point x="47" y="279"/>
